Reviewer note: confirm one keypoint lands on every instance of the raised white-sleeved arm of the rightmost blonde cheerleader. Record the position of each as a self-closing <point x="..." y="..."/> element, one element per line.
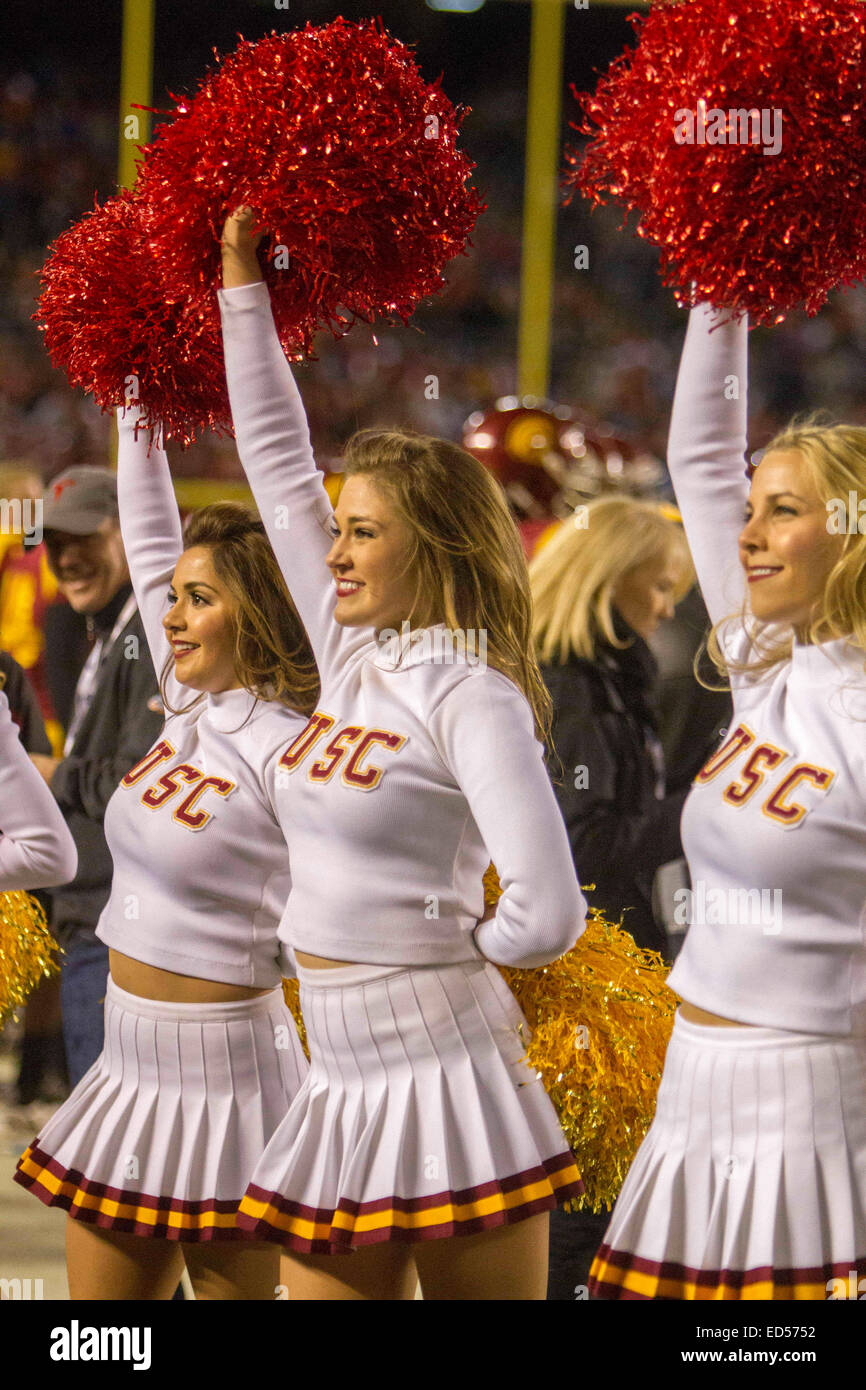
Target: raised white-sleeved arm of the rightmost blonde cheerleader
<point x="707" y="454"/>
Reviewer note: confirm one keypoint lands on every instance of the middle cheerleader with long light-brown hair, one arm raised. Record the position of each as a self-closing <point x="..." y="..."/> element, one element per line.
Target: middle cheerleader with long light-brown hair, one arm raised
<point x="420" y="1120"/>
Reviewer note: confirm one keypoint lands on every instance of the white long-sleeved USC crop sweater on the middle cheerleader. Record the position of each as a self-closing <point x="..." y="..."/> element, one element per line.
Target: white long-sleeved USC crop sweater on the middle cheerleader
<point x="414" y="774"/>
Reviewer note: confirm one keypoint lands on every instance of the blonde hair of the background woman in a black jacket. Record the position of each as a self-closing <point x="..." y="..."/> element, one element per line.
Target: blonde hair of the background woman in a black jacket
<point x="575" y="576"/>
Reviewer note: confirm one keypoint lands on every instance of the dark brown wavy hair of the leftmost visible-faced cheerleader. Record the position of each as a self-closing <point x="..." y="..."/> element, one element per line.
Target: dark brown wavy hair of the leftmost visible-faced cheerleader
<point x="273" y="655"/>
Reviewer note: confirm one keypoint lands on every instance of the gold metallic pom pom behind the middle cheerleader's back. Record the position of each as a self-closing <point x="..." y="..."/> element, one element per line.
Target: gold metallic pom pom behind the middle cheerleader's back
<point x="601" y="1021"/>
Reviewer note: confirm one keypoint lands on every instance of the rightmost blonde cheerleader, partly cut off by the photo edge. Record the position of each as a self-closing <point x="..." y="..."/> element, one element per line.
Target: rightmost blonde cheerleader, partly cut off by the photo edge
<point x="751" y="1182"/>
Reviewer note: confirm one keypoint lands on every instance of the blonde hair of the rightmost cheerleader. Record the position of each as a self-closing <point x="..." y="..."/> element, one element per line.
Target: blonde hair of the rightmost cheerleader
<point x="835" y="459"/>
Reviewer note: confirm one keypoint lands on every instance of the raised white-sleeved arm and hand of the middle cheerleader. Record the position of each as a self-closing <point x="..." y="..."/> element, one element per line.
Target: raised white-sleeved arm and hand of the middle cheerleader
<point x="277" y="457"/>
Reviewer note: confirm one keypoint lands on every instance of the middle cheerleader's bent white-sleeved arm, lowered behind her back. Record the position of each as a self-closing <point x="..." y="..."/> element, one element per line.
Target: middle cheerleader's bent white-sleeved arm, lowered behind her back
<point x="484" y="733"/>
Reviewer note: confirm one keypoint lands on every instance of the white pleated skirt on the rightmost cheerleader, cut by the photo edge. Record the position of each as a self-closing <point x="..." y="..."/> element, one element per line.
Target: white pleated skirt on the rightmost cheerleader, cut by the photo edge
<point x="751" y="1182"/>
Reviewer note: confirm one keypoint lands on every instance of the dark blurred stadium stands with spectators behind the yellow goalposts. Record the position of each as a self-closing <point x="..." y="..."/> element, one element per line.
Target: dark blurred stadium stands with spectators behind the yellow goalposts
<point x="616" y="333"/>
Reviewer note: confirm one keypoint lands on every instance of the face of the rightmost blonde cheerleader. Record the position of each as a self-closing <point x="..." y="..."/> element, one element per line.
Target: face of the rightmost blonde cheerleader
<point x="785" y="547"/>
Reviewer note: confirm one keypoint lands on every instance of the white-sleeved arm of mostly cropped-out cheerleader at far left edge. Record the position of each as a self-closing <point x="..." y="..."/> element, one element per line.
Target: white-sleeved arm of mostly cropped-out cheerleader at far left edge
<point x="37" y="850"/>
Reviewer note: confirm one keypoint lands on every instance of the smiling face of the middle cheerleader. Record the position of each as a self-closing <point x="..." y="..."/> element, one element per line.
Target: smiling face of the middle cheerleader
<point x="369" y="559"/>
